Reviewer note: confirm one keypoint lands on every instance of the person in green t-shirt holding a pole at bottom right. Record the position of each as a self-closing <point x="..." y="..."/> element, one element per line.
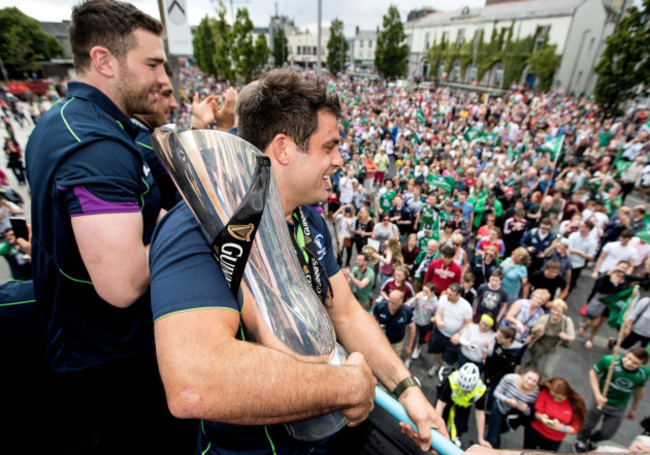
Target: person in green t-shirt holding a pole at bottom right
<point x="628" y="381"/>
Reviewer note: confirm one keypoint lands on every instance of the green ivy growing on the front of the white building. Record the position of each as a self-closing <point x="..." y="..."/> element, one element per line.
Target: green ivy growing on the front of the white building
<point x="514" y="54"/>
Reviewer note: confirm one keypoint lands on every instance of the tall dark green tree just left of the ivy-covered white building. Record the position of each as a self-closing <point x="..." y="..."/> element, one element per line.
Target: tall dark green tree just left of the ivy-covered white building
<point x="391" y="51"/>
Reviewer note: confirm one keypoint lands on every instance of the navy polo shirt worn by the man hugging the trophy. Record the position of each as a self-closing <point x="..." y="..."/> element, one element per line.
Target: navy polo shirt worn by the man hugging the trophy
<point x="185" y="277"/>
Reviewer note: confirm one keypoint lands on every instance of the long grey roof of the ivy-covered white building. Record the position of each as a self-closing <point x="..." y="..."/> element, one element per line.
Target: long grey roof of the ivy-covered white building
<point x="518" y="9"/>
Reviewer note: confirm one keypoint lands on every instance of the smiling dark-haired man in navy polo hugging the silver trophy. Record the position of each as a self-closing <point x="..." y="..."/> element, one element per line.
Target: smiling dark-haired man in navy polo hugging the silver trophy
<point x="243" y="391"/>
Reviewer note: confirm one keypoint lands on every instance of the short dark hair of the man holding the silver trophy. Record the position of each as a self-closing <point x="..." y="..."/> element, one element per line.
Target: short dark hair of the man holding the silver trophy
<point x="283" y="101"/>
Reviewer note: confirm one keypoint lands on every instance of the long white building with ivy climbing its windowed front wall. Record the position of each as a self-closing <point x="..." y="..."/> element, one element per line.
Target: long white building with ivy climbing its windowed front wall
<point x="578" y="28"/>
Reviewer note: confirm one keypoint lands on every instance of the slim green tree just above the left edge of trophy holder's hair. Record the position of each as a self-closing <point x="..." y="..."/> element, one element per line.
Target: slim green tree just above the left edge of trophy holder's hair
<point x="243" y="54"/>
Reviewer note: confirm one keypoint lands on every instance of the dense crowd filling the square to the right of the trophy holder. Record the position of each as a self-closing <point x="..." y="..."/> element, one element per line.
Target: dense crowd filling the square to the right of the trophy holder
<point x="469" y="246"/>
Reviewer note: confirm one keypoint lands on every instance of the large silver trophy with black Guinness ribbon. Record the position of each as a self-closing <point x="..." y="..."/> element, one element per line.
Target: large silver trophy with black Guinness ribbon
<point x="217" y="174"/>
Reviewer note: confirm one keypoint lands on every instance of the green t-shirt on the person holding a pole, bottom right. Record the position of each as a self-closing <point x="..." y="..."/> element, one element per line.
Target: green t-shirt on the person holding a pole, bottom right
<point x="623" y="382"/>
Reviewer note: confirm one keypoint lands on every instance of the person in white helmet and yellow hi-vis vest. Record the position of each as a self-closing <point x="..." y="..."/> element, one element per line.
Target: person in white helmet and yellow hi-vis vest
<point x="461" y="390"/>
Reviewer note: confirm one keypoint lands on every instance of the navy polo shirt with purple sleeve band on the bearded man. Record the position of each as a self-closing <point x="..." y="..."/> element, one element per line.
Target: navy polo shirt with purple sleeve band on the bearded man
<point x="82" y="160"/>
